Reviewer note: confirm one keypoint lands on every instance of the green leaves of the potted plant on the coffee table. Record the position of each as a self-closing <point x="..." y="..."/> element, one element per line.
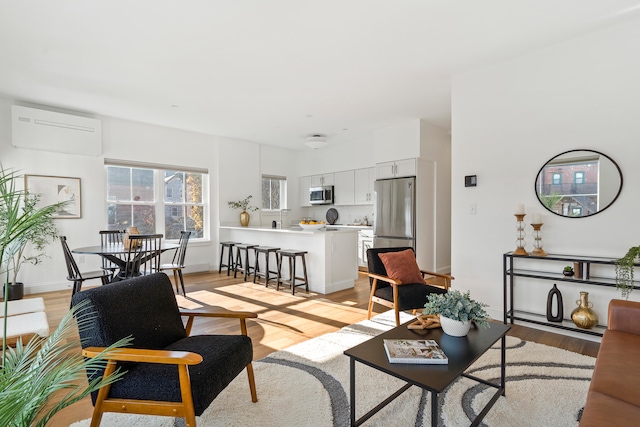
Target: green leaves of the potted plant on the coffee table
<point x="457" y="306"/>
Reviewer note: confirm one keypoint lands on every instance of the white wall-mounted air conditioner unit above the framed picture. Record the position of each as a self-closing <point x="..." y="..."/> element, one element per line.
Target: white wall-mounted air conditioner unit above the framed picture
<point x="50" y="131"/>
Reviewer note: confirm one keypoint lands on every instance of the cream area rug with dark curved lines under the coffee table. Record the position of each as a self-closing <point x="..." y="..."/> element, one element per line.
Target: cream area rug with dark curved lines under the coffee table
<point x="308" y="384"/>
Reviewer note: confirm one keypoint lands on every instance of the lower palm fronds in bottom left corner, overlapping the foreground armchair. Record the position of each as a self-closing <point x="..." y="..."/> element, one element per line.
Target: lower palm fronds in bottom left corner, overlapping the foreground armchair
<point x="46" y="375"/>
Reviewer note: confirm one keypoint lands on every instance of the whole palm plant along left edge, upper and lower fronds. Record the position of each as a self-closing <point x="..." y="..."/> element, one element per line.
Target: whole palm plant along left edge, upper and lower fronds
<point x="32" y="373"/>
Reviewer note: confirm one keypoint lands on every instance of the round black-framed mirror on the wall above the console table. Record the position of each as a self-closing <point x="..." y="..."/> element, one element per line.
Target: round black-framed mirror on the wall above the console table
<point x="578" y="183"/>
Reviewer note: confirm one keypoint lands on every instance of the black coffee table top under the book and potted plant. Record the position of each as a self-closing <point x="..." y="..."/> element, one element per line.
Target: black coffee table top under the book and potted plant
<point x="461" y="351"/>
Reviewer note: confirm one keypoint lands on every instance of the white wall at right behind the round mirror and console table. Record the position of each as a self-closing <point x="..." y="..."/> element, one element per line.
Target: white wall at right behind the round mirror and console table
<point x="508" y="120"/>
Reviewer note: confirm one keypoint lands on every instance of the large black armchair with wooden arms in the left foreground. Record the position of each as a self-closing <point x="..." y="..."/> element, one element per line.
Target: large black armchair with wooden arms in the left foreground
<point x="167" y="371"/>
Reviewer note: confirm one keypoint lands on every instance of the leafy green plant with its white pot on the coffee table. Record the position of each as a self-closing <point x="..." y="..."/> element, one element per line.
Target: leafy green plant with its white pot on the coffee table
<point x="457" y="311"/>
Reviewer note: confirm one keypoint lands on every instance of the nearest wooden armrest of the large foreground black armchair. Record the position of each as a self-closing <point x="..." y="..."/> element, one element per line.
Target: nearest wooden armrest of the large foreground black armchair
<point x="166" y="357"/>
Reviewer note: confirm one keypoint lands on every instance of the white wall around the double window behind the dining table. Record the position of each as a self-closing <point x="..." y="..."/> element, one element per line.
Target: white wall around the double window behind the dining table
<point x="234" y="172"/>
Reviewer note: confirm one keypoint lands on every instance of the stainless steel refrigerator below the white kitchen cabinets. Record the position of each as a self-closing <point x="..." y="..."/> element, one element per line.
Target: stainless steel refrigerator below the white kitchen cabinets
<point x="395" y="221"/>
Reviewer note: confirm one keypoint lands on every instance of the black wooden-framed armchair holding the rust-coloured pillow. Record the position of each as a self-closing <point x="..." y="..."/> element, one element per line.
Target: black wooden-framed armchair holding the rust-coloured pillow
<point x="393" y="293"/>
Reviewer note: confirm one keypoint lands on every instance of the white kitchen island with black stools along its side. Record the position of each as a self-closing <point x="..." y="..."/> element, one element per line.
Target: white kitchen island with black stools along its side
<point x="331" y="258"/>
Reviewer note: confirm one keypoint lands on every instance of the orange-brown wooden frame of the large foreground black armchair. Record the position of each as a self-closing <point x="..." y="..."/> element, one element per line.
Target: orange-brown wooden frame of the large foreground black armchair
<point x="182" y="359"/>
